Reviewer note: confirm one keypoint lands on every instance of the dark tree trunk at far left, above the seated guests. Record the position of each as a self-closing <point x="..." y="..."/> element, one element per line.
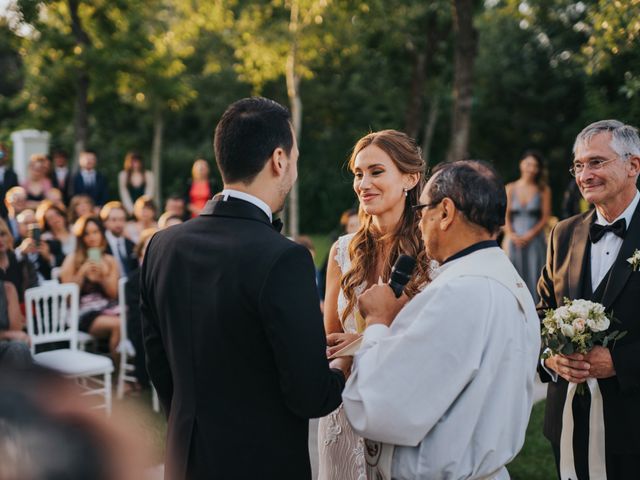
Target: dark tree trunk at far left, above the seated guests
<point x="80" y="114"/>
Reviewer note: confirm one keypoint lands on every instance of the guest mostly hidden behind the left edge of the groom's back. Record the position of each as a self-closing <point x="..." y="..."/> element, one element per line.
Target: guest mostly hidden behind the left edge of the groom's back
<point x="132" y="296"/>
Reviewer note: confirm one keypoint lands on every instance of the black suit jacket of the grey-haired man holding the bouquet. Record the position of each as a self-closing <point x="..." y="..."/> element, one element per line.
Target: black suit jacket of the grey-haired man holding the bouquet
<point x="565" y="275"/>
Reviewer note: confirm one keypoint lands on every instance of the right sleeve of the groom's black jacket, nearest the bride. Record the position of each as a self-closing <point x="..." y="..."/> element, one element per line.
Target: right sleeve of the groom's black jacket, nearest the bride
<point x="293" y="324"/>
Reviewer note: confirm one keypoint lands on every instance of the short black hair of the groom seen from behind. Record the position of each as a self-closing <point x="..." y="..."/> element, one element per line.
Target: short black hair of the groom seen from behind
<point x="246" y="136"/>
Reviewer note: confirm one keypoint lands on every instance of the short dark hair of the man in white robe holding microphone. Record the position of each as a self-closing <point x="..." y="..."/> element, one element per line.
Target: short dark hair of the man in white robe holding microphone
<point x="475" y="188"/>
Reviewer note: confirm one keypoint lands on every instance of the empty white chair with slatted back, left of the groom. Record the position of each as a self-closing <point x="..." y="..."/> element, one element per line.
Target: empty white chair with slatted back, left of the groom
<point x="52" y="316"/>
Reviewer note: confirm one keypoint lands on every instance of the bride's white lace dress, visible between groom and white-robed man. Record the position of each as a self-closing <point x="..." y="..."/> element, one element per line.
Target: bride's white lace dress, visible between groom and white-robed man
<point x="341" y="451"/>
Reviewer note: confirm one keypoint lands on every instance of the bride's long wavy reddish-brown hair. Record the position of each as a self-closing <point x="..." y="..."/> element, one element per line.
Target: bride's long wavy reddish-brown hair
<point x="406" y="239"/>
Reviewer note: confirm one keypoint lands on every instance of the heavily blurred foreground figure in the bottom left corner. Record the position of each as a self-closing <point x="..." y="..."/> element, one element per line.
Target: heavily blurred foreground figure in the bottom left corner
<point x="49" y="432"/>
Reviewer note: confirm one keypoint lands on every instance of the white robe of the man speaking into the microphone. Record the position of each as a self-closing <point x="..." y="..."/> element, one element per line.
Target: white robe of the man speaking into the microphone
<point x="450" y="383"/>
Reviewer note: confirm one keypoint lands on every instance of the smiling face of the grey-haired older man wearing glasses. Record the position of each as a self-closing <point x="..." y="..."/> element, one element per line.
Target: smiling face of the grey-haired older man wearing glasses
<point x="602" y="185"/>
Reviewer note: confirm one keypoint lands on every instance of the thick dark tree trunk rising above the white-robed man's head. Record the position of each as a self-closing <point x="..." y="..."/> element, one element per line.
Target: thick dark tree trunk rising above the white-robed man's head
<point x="465" y="53"/>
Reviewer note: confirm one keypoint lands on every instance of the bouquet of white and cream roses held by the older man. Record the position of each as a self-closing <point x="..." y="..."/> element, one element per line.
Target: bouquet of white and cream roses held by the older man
<point x="576" y="327"/>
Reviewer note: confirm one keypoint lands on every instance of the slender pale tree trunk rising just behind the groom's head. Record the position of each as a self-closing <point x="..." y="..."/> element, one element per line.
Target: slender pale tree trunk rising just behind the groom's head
<point x="295" y="102"/>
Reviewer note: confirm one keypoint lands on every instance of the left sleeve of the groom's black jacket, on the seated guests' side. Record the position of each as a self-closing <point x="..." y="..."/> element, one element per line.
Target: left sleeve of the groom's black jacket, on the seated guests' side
<point x="156" y="357"/>
